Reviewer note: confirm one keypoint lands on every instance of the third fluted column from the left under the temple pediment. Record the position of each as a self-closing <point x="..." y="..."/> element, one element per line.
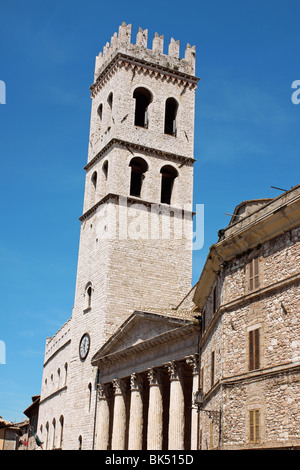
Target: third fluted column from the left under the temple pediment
<point x="135" y="439"/>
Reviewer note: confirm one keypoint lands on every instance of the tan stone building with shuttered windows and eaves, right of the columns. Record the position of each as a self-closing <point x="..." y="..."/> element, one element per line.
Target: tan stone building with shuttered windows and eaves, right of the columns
<point x="249" y="298"/>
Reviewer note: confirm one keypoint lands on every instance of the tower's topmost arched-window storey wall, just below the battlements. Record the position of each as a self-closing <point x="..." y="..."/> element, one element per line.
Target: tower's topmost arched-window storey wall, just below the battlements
<point x="118" y="121"/>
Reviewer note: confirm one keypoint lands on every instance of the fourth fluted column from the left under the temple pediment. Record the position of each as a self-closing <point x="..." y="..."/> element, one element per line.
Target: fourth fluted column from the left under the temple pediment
<point x="155" y="411"/>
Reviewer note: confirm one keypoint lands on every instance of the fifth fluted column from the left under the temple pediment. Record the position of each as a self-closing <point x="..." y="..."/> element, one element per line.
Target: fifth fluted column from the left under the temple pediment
<point x="176" y="409"/>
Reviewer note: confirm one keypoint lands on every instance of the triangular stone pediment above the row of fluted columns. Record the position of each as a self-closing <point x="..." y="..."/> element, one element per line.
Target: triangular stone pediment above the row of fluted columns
<point x="139" y="328"/>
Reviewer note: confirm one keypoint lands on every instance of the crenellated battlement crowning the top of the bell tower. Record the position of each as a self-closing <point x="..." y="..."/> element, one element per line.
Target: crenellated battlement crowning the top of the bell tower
<point x="121" y="43"/>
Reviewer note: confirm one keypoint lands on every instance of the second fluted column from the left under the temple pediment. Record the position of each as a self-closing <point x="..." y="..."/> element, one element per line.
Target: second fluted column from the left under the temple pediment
<point x="119" y="419"/>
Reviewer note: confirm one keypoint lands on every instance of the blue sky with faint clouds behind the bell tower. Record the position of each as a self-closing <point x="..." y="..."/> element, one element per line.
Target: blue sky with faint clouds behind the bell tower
<point x="247" y="139"/>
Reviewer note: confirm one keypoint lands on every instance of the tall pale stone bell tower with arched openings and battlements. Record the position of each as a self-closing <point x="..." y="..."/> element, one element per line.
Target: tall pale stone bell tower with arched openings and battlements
<point x="136" y="226"/>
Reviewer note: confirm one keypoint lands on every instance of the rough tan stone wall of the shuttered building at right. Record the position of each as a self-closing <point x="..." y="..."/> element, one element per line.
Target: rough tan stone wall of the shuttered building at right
<point x="273" y="308"/>
